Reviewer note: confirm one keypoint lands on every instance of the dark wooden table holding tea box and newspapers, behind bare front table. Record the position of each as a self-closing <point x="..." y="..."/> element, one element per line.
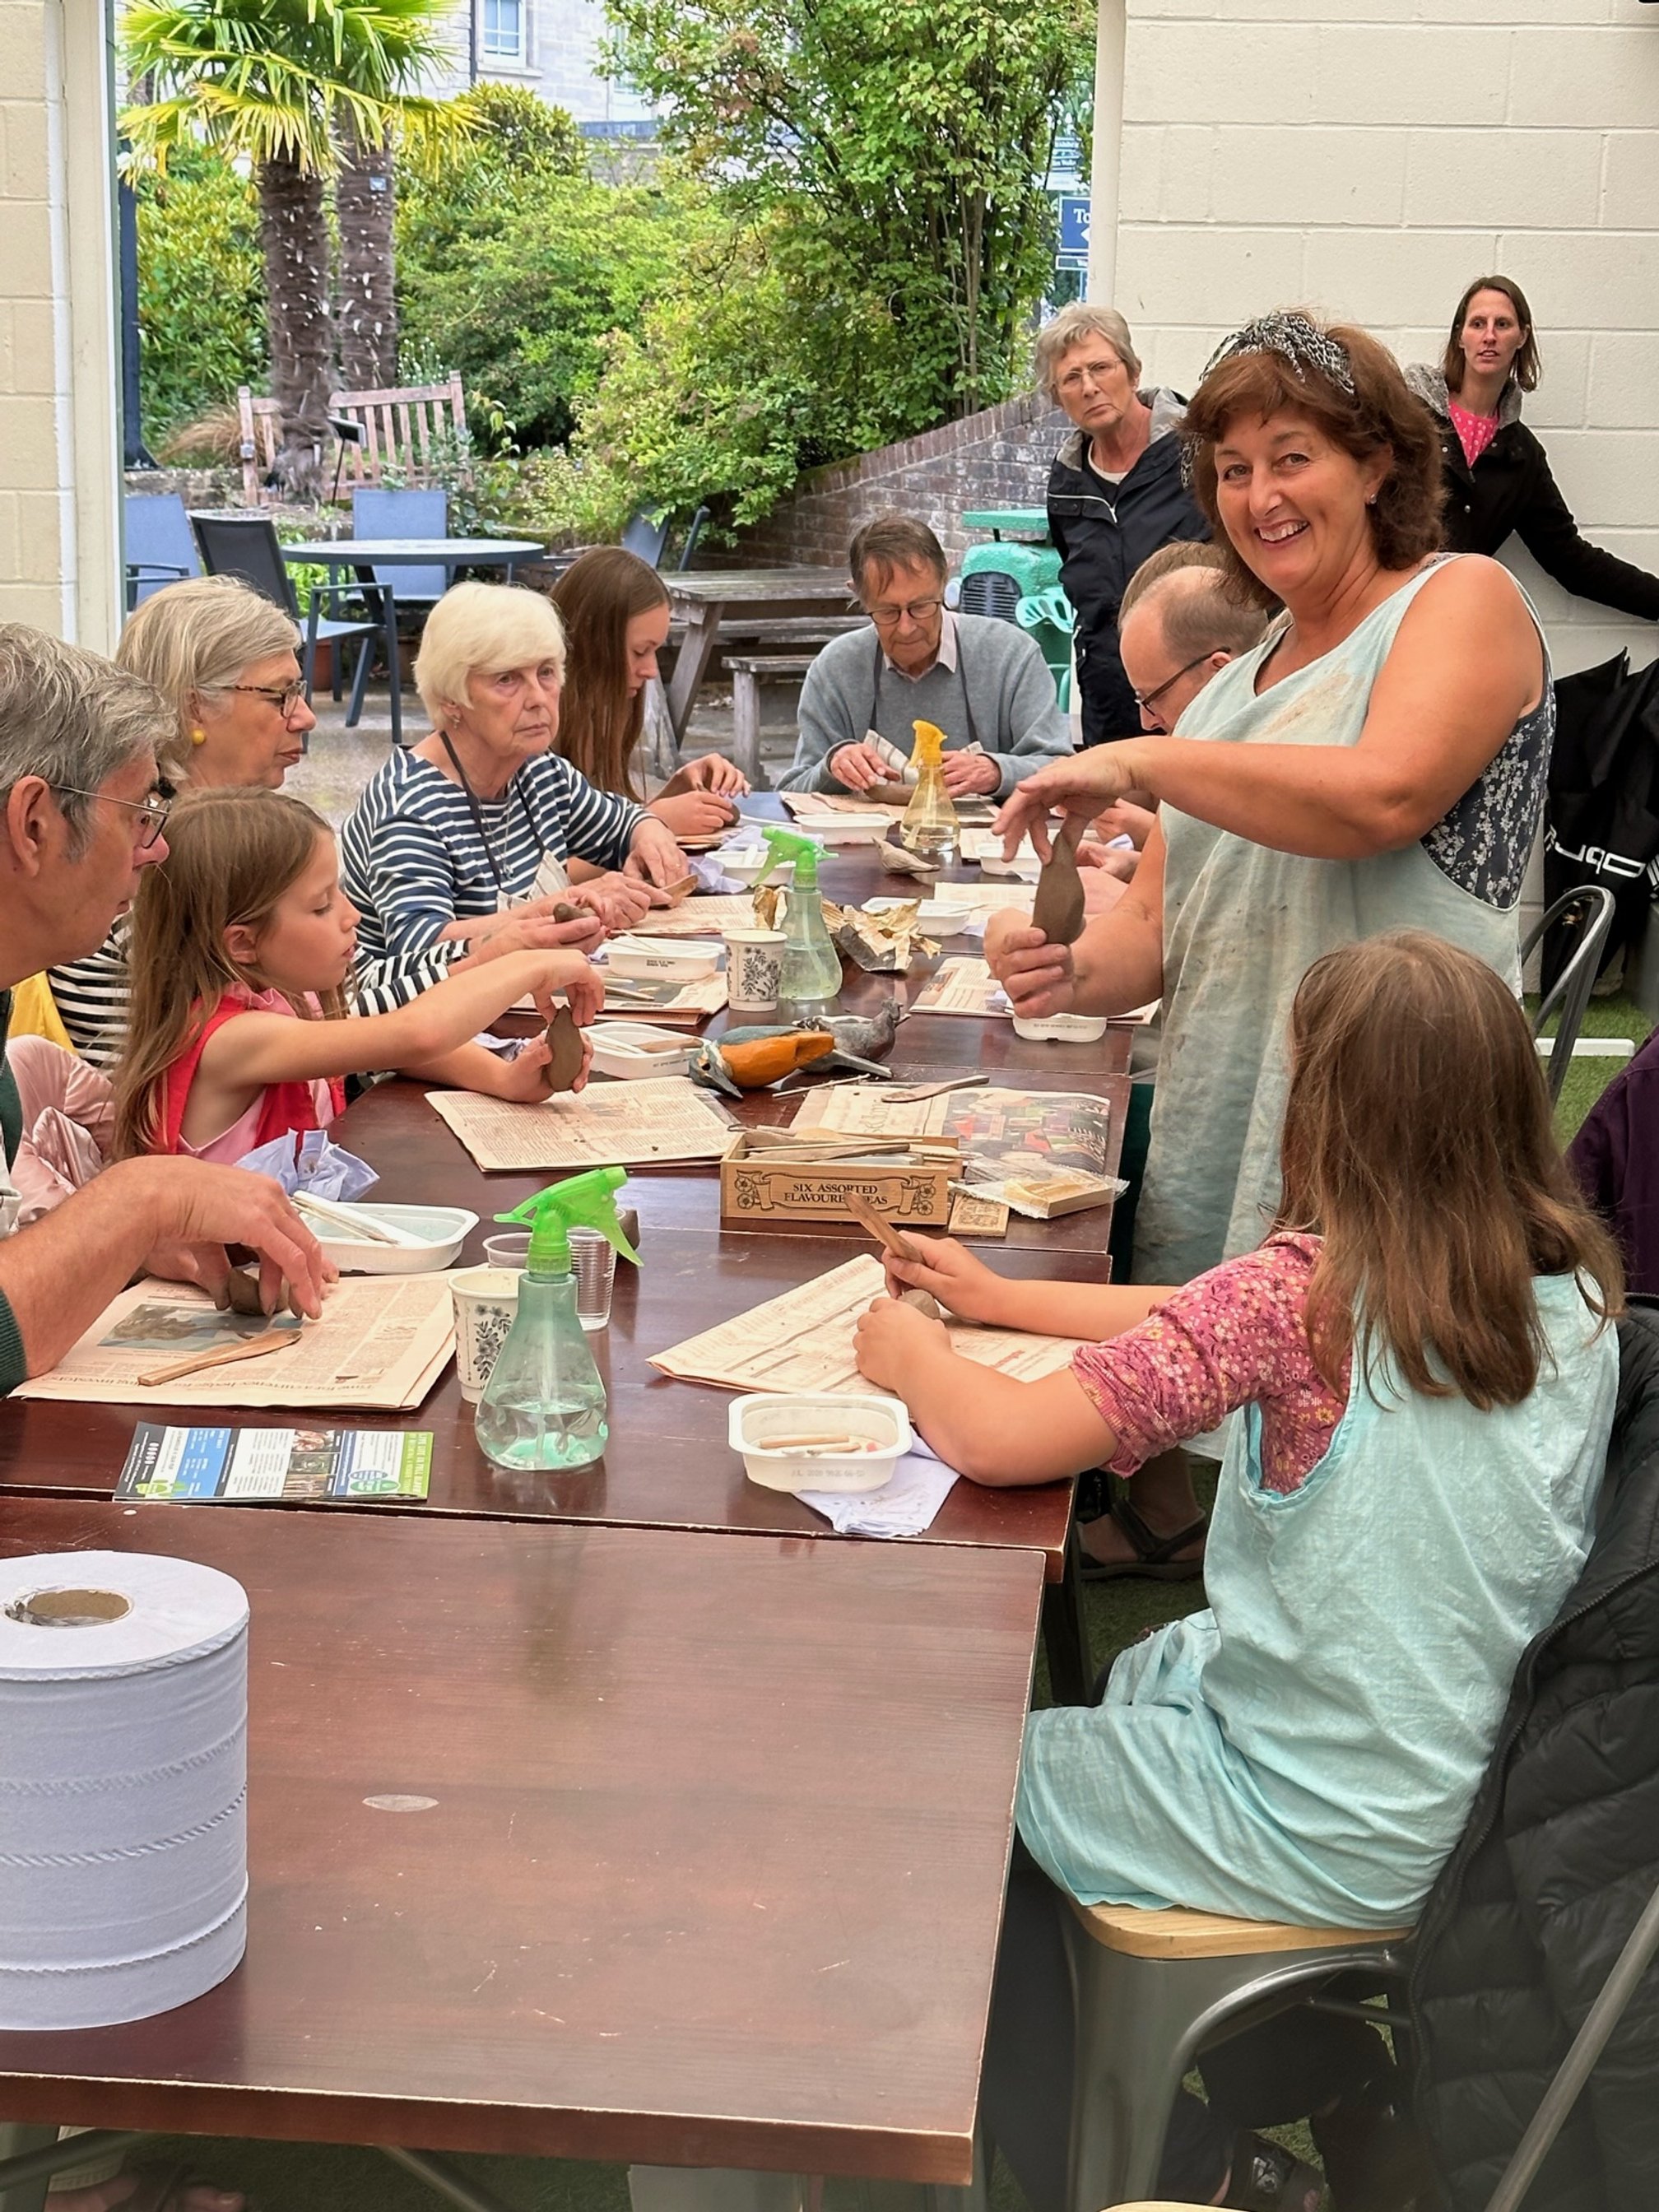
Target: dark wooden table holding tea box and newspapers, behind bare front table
<point x="667" y="1463"/>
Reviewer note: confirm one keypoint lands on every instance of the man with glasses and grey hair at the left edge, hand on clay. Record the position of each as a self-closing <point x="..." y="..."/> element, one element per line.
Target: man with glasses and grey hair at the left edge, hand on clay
<point x="79" y="820"/>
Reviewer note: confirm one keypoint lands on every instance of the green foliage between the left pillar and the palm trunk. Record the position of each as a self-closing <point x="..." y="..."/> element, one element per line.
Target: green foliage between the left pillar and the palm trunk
<point x="202" y="306"/>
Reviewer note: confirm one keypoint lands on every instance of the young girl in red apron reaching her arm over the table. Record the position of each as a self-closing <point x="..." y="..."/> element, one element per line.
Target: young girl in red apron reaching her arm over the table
<point x="240" y="1027"/>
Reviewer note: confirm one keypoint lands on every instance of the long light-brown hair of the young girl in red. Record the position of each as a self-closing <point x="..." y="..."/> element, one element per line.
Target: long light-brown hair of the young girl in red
<point x="231" y="859"/>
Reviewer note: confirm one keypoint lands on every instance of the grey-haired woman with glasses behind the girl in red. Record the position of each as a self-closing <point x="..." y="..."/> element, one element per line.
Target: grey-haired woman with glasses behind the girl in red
<point x="227" y="662"/>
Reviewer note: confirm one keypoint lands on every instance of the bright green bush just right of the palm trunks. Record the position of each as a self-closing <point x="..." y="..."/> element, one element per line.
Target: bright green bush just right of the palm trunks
<point x="517" y="264"/>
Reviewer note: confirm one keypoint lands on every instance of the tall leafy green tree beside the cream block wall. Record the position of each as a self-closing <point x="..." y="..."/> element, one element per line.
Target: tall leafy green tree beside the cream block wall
<point x="901" y="143"/>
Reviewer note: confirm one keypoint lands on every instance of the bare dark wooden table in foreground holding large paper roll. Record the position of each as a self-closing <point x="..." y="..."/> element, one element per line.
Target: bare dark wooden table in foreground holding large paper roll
<point x="711" y="1872"/>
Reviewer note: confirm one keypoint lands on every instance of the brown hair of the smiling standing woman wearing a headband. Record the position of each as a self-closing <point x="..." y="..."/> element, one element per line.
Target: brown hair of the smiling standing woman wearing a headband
<point x="1381" y="415"/>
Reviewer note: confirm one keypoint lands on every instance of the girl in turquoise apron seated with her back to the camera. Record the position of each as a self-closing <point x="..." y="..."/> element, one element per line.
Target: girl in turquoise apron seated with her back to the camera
<point x="1423" y="1375"/>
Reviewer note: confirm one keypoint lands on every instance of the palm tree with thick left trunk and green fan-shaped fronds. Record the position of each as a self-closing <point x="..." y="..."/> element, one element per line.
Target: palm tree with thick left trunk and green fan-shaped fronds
<point x="286" y="83"/>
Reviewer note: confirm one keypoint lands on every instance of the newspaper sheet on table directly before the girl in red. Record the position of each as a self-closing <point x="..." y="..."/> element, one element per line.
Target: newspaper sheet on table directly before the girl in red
<point x="609" y="1125"/>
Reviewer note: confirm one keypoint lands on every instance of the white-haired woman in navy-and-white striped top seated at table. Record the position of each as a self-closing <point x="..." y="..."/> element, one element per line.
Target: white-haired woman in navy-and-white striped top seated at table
<point x="483" y="817"/>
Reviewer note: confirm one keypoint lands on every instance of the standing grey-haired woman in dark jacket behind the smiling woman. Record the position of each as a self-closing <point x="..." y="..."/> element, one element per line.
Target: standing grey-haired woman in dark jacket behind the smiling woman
<point x="1116" y="494"/>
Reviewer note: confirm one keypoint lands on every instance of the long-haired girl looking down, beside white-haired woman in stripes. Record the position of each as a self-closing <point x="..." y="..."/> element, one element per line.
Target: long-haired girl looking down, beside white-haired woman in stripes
<point x="616" y="623"/>
